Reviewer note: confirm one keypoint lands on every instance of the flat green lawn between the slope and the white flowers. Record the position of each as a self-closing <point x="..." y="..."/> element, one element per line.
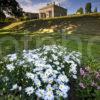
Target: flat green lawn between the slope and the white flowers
<point x="88" y="45"/>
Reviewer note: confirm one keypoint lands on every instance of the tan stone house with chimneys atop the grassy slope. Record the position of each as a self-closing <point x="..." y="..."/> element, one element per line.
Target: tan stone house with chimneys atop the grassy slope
<point x="52" y="10"/>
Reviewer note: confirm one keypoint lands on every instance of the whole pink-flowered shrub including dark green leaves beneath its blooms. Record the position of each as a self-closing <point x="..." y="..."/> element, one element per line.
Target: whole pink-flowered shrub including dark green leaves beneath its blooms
<point x="88" y="83"/>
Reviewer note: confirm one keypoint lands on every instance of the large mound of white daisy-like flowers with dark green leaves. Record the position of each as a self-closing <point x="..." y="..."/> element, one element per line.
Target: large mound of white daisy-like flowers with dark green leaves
<point x="44" y="72"/>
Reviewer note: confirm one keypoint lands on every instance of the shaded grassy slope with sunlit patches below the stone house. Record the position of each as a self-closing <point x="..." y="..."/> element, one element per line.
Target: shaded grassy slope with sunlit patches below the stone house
<point x="84" y="24"/>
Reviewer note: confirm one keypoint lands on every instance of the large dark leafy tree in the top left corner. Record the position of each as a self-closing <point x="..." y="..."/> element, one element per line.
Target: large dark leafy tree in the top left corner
<point x="11" y="7"/>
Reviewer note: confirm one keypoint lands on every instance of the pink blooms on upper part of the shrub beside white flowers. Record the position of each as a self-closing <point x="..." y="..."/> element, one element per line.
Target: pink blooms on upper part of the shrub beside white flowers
<point x="89" y="78"/>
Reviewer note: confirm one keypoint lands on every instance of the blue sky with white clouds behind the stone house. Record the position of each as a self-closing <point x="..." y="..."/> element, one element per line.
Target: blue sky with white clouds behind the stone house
<point x="71" y="5"/>
